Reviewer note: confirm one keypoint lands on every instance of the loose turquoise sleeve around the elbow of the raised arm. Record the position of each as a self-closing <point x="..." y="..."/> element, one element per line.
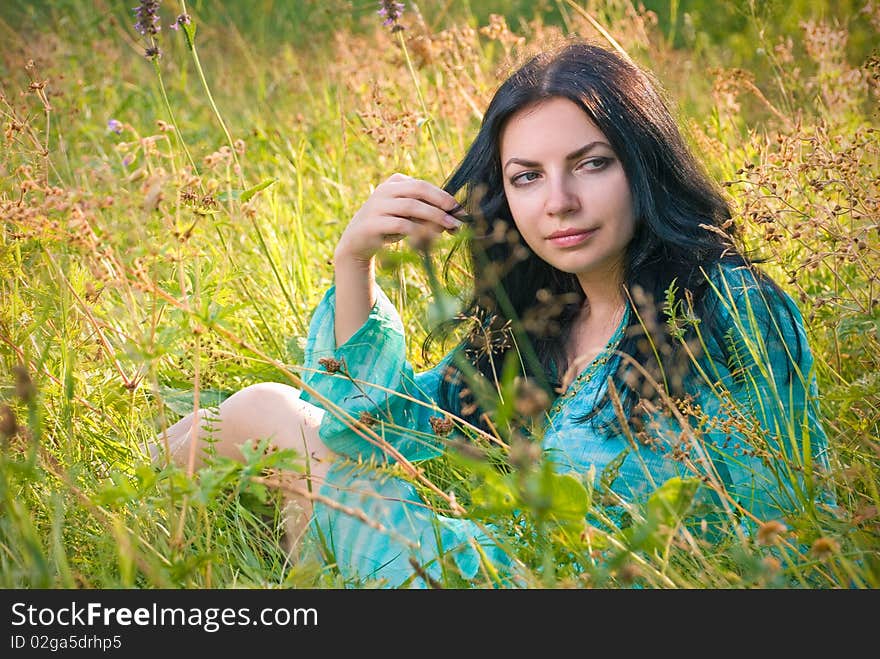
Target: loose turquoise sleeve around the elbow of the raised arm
<point x="369" y="380"/>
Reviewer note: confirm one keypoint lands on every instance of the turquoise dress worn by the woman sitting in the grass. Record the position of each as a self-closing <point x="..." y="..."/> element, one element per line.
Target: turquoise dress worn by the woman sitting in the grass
<point x="375" y="525"/>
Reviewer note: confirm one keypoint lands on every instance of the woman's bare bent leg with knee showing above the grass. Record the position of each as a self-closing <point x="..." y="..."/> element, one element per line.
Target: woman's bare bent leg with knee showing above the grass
<point x="267" y="409"/>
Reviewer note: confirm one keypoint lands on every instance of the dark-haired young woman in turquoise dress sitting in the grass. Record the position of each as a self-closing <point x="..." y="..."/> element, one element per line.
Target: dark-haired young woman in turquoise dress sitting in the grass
<point x="605" y="263"/>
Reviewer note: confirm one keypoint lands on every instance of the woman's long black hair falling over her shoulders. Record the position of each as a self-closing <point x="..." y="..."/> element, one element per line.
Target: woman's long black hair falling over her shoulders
<point x="521" y="303"/>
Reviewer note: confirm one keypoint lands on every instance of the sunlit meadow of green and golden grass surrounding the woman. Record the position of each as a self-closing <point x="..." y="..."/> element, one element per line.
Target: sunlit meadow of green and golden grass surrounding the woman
<point x="170" y="200"/>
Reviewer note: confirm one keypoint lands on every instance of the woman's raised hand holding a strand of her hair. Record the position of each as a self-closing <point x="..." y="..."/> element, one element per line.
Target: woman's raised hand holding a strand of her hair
<point x="400" y="206"/>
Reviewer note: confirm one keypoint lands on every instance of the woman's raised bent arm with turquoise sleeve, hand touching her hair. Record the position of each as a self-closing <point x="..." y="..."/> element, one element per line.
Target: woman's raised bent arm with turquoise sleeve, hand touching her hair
<point x="359" y="331"/>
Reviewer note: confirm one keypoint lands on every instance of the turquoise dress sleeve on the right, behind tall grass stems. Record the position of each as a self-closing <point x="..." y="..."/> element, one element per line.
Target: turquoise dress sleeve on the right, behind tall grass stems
<point x="764" y="387"/>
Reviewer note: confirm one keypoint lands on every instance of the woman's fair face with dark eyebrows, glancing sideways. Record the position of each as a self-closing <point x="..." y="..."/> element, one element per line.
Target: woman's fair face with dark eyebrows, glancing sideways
<point x="566" y="188"/>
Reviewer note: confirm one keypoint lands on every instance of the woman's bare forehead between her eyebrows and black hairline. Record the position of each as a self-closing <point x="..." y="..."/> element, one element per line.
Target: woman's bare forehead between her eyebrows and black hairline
<point x="556" y="123"/>
